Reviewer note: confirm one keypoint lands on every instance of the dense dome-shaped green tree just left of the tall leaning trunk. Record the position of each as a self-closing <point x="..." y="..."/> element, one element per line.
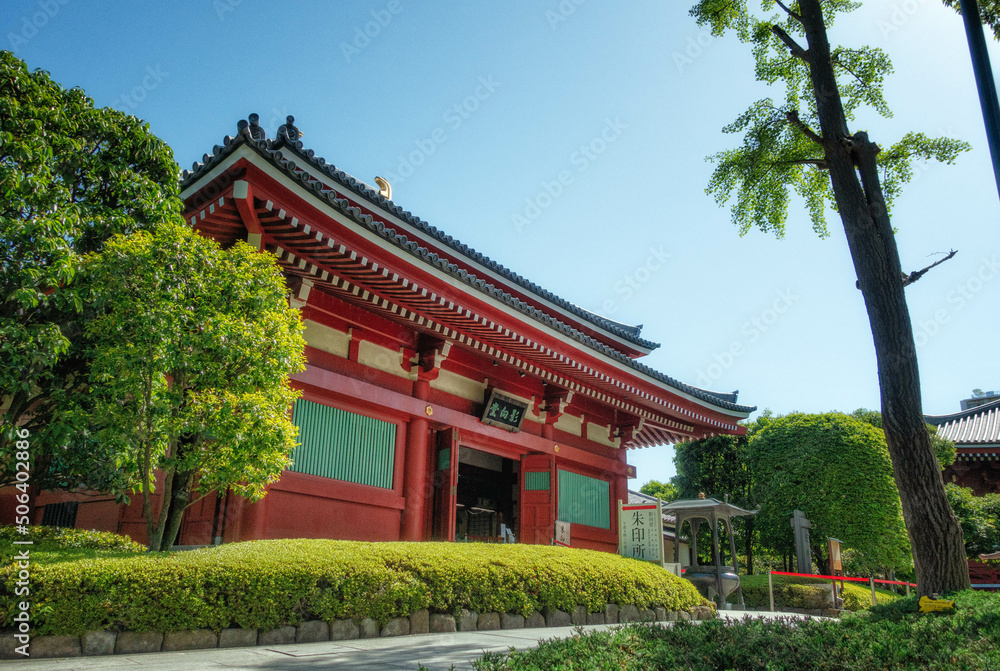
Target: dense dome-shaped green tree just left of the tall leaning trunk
<point x="836" y="469"/>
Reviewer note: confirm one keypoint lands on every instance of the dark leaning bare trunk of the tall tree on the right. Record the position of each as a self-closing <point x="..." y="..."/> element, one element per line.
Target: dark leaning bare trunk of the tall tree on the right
<point x="935" y="535"/>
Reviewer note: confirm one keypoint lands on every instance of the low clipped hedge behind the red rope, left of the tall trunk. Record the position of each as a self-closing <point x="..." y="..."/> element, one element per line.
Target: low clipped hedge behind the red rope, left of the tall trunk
<point x="795" y="592"/>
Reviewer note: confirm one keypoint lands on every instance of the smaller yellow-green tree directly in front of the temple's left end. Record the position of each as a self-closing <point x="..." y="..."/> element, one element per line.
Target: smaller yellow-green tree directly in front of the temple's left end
<point x="192" y="347"/>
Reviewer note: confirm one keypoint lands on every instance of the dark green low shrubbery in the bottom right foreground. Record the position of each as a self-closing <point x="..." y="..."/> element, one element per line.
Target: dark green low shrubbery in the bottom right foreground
<point x="885" y="637"/>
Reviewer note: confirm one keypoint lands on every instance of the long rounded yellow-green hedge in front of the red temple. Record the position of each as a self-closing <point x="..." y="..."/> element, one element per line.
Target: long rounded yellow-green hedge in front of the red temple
<point x="264" y="584"/>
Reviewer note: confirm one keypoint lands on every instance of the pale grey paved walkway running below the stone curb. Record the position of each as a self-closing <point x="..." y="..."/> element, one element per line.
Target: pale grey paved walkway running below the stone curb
<point x="434" y="651"/>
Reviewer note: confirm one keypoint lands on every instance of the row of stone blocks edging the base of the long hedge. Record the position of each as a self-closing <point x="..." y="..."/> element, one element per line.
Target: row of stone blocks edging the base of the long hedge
<point x="109" y="642"/>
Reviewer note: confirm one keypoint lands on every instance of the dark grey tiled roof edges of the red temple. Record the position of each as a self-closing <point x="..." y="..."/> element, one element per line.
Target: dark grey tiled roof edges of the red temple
<point x="281" y="154"/>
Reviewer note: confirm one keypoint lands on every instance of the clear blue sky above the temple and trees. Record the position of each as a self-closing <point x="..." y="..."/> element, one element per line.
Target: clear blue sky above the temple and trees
<point x="473" y="108"/>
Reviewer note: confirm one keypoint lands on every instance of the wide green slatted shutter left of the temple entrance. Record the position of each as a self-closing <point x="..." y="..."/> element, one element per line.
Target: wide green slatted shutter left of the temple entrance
<point x="343" y="445"/>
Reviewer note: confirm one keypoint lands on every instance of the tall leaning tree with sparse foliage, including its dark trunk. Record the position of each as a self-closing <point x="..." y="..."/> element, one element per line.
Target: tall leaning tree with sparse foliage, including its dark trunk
<point x="803" y="145"/>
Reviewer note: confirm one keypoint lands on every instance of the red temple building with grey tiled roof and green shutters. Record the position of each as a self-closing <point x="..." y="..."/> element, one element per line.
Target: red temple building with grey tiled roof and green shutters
<point x="445" y="396"/>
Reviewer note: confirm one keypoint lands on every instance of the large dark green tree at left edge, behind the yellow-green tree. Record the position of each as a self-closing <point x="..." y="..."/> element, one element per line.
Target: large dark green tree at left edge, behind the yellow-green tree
<point x="71" y="176"/>
